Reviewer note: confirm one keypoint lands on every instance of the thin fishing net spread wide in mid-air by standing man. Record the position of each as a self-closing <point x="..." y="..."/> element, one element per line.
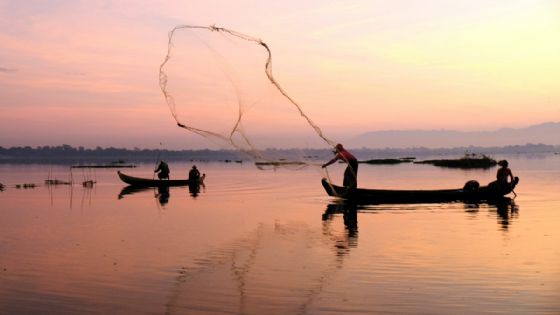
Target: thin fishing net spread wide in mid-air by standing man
<point x="219" y="84"/>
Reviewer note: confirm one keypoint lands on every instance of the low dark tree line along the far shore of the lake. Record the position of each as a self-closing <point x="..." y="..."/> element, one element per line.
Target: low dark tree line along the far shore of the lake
<point x="69" y="154"/>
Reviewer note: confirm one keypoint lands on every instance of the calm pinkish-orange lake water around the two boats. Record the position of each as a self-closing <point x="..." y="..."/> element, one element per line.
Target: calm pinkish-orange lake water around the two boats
<point x="272" y="242"/>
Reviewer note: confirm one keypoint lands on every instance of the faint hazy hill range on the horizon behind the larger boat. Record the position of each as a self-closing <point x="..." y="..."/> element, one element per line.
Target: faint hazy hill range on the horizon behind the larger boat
<point x="547" y="133"/>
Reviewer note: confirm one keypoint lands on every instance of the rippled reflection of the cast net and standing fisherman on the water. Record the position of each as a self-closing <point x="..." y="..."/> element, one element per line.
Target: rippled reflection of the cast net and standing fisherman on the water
<point x="277" y="269"/>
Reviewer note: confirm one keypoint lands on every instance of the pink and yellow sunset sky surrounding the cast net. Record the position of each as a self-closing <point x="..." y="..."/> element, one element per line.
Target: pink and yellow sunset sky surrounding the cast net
<point x="86" y="72"/>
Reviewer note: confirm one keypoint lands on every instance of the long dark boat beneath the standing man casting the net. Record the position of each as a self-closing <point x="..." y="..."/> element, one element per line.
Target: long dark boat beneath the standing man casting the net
<point x="378" y="196"/>
